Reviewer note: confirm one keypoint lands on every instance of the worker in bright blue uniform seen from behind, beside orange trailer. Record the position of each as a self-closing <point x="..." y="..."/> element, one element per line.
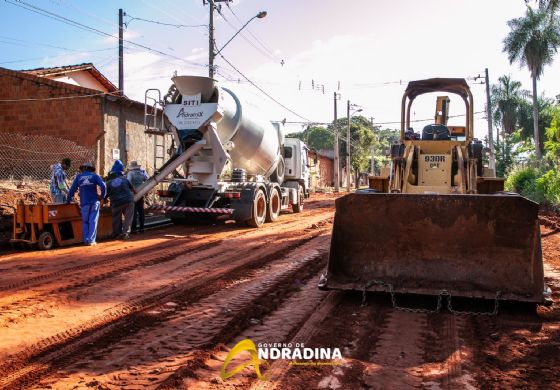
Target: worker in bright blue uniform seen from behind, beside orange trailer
<point x="87" y="182"/>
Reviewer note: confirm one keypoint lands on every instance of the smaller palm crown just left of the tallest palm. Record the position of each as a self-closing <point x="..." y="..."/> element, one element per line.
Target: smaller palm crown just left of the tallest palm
<point x="505" y="100"/>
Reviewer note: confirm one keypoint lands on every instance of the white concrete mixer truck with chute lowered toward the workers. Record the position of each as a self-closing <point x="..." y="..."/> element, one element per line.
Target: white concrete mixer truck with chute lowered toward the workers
<point x="229" y="162"/>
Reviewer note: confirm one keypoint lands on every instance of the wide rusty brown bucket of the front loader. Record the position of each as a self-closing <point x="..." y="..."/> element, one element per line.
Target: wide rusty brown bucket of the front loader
<point x="468" y="245"/>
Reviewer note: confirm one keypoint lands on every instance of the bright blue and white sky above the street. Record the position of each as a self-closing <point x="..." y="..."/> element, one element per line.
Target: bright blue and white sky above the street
<point x="365" y="49"/>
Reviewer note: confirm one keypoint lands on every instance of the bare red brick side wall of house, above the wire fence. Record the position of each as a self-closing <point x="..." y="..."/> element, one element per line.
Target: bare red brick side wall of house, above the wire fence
<point x="76" y="119"/>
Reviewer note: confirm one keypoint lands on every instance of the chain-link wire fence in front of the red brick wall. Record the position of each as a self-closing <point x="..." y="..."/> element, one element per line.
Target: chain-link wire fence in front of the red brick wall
<point x="31" y="156"/>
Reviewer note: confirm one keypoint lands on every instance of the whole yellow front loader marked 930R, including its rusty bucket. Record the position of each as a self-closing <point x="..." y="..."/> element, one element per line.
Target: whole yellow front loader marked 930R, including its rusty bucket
<point x="439" y="223"/>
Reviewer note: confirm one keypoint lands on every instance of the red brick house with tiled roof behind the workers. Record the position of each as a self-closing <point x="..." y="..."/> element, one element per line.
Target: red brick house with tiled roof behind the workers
<point x="79" y="108"/>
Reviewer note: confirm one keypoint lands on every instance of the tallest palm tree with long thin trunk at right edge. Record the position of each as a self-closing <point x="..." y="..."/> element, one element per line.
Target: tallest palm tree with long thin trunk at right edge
<point x="533" y="41"/>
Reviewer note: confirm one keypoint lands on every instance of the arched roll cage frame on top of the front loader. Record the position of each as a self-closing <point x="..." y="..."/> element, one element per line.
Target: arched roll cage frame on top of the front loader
<point x="456" y="86"/>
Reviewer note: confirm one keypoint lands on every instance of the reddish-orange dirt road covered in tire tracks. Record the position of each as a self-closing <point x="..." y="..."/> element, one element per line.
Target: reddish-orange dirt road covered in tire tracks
<point x="164" y="309"/>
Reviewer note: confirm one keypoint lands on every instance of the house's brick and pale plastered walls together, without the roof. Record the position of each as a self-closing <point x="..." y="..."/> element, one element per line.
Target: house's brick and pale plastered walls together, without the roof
<point x="92" y="122"/>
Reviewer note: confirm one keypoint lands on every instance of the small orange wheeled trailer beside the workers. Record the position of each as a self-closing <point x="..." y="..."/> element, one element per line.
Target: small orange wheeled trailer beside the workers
<point x="47" y="225"/>
